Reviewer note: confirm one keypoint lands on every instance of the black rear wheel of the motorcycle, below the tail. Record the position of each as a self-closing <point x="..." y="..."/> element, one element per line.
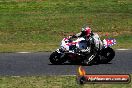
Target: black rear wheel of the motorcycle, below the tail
<point x="107" y="55"/>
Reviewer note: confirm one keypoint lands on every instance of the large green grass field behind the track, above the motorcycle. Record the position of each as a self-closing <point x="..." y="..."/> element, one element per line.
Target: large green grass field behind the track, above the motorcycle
<point x="39" y="25"/>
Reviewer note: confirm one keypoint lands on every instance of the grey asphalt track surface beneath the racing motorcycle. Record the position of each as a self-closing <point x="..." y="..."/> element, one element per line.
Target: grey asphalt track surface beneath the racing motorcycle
<point x="30" y="64"/>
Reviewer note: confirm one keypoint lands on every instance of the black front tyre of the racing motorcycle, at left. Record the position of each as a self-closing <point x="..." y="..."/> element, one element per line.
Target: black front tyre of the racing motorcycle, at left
<point x="56" y="58"/>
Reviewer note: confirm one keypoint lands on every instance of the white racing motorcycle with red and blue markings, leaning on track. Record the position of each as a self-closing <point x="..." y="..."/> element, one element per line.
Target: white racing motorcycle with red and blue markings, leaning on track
<point x="84" y="51"/>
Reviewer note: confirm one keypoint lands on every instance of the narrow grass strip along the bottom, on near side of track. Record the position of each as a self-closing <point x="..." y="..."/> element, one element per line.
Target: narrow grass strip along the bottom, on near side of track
<point x="52" y="82"/>
